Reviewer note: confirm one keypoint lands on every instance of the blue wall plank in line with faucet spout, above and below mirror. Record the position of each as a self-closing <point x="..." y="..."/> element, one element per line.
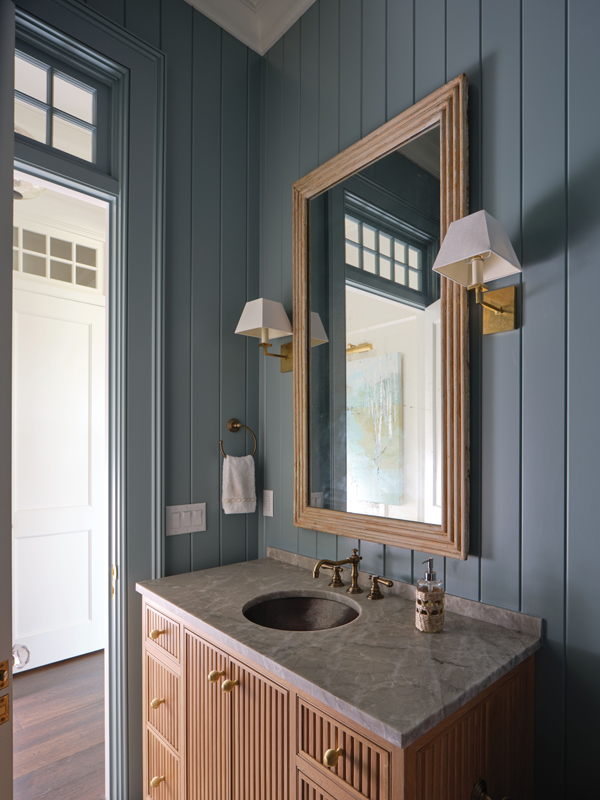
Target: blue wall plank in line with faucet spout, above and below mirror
<point x="329" y="57"/>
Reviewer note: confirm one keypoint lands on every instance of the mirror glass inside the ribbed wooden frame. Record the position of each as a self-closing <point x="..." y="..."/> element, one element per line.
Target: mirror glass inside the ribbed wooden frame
<point x="375" y="385"/>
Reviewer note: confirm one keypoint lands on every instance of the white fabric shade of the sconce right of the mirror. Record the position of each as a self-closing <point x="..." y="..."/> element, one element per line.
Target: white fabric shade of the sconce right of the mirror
<point x="476" y="249"/>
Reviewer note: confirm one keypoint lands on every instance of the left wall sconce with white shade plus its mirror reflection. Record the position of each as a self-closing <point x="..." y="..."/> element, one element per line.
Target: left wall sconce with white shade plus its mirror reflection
<point x="266" y="319"/>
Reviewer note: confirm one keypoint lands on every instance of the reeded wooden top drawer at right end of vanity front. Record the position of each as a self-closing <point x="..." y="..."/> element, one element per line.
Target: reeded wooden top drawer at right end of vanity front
<point x="363" y="766"/>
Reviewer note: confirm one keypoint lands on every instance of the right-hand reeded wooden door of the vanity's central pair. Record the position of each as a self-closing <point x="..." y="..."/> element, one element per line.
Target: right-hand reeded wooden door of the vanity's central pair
<point x="259" y="737"/>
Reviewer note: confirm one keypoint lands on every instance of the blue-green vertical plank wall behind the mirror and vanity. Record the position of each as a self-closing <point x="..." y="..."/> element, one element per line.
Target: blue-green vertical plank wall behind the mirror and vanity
<point x="534" y="162"/>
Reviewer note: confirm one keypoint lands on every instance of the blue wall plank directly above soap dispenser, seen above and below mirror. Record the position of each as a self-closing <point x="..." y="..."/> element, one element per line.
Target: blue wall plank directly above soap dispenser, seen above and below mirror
<point x="430" y="73"/>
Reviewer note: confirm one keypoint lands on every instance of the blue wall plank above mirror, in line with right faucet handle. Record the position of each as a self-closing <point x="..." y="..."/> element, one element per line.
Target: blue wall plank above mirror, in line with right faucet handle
<point x="374" y="44"/>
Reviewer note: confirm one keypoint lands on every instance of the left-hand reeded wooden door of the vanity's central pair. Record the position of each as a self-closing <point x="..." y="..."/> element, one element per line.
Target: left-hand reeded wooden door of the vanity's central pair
<point x="208" y="727"/>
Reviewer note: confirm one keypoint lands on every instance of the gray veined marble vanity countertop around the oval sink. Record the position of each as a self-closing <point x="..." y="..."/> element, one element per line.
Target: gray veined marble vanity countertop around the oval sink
<point x="378" y="670"/>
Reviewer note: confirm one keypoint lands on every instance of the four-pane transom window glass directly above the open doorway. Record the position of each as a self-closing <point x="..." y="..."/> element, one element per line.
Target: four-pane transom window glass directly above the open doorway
<point x="54" y="108"/>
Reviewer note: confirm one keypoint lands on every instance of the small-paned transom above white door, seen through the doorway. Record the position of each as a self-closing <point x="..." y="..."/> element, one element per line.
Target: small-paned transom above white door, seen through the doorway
<point x="56" y="259"/>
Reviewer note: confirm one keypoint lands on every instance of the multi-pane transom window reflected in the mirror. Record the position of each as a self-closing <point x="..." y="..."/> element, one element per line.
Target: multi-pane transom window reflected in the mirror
<point x="380" y="253"/>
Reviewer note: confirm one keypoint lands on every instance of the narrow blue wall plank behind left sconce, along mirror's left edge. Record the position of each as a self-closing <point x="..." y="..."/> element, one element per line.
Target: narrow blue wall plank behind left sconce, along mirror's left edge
<point x="290" y="172"/>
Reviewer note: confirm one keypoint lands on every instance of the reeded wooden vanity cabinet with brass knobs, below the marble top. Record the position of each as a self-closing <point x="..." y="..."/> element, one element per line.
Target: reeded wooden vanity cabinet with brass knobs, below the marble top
<point x="265" y="740"/>
